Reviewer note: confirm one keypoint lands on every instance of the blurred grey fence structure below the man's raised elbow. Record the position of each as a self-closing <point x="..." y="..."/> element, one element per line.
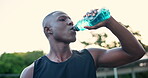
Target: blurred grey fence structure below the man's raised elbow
<point x="129" y="69"/>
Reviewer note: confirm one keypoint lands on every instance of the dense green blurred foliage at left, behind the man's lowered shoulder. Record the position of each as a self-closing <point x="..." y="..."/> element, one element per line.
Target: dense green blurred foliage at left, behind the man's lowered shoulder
<point x="14" y="63"/>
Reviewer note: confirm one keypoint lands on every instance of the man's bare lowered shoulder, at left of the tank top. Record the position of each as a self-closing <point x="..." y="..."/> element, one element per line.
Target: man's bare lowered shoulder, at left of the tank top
<point x="28" y="72"/>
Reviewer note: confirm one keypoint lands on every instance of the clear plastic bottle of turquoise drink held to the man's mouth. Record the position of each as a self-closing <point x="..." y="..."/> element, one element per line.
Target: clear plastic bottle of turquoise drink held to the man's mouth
<point x="100" y="16"/>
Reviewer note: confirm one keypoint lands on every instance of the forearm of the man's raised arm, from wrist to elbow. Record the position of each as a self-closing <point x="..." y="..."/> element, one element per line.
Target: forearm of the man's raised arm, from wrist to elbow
<point x="128" y="41"/>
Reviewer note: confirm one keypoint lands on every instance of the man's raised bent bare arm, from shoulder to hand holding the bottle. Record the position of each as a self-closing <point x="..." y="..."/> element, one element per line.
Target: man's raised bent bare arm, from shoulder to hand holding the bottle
<point x="130" y="51"/>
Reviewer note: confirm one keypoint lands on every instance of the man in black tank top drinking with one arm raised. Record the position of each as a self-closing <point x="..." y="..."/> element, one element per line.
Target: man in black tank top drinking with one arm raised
<point x="62" y="62"/>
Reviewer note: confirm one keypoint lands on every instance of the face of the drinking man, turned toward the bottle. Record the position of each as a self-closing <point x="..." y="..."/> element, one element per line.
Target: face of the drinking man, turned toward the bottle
<point x="61" y="26"/>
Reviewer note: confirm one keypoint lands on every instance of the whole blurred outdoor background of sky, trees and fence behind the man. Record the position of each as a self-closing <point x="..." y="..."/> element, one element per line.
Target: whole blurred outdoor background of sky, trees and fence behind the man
<point x="22" y="40"/>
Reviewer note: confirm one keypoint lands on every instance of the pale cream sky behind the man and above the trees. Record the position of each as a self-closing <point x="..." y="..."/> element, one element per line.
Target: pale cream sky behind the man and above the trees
<point x="21" y="20"/>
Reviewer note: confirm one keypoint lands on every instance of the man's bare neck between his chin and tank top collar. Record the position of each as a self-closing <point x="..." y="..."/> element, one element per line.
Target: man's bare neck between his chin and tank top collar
<point x="59" y="52"/>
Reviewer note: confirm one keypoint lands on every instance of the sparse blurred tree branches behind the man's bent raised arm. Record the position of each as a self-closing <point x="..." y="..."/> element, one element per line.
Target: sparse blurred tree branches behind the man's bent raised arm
<point x="102" y="38"/>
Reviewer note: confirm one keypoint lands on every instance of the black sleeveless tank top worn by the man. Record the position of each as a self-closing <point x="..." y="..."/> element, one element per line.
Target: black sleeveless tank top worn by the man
<point x="79" y="65"/>
